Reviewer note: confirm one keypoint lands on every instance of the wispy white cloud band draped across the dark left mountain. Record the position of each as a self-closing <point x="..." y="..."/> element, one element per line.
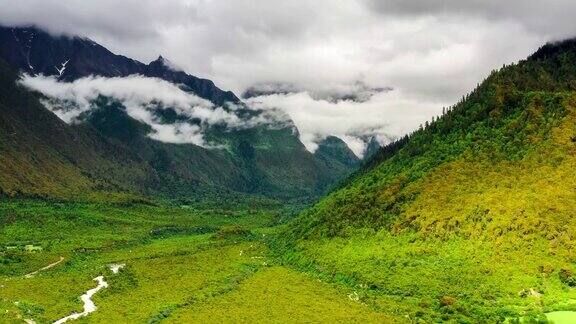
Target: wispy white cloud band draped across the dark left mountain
<point x="140" y="96"/>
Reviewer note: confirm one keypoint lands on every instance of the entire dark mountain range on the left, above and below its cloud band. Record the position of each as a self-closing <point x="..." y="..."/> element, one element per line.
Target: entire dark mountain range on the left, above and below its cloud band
<point x="109" y="151"/>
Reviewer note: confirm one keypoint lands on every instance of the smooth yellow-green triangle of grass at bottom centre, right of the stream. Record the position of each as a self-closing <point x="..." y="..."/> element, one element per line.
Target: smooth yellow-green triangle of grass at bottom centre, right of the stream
<point x="278" y="294"/>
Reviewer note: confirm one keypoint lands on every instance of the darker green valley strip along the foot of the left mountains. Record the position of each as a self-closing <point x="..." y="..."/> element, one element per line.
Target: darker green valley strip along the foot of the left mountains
<point x="81" y="229"/>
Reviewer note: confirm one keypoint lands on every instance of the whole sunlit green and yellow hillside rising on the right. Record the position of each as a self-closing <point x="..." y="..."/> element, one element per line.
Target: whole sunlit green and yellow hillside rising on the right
<point x="471" y="217"/>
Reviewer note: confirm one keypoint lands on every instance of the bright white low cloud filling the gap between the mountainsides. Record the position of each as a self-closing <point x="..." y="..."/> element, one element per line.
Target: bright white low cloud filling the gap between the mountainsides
<point x="385" y="116"/>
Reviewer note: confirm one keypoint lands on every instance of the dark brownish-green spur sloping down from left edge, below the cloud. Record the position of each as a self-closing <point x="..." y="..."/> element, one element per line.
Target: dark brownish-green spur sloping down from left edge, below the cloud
<point x="40" y="155"/>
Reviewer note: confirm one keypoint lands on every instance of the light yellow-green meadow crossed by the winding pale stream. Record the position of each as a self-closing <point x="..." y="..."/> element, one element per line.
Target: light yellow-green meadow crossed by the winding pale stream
<point x="157" y="276"/>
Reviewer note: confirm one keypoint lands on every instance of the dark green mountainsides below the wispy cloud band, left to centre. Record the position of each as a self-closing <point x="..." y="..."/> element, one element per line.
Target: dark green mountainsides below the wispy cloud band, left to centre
<point x="110" y="154"/>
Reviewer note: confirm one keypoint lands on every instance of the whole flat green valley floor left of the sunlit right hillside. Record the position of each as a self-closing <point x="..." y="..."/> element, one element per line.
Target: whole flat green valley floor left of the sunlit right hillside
<point x="181" y="265"/>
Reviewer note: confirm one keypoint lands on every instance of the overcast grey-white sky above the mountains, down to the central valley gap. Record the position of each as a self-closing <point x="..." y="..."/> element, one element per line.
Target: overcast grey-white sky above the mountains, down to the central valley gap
<point x="431" y="52"/>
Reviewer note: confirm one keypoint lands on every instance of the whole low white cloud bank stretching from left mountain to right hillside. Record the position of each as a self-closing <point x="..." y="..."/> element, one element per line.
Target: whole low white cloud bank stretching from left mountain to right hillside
<point x="384" y="115"/>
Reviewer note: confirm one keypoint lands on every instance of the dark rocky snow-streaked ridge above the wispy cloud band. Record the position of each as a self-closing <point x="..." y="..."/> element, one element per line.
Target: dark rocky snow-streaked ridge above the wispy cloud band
<point x="34" y="51"/>
